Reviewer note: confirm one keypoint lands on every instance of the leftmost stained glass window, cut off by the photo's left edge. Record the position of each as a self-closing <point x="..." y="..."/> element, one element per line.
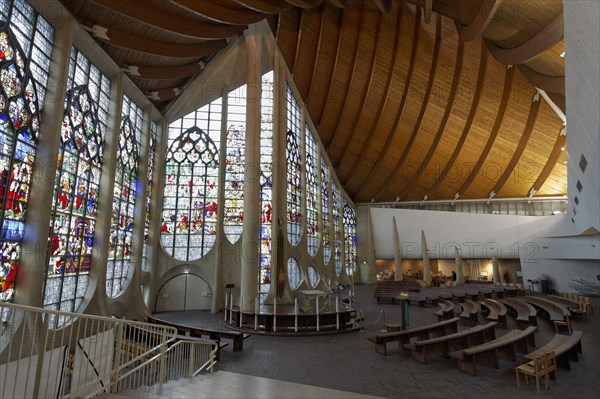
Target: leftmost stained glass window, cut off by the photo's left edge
<point x="25" y="49"/>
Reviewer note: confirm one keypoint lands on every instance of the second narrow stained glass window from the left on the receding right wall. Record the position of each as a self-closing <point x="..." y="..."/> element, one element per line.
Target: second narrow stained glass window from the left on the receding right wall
<point x="312" y="194"/>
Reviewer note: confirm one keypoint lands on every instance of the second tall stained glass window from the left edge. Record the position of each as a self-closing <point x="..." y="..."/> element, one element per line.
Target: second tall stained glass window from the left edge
<point x="76" y="186"/>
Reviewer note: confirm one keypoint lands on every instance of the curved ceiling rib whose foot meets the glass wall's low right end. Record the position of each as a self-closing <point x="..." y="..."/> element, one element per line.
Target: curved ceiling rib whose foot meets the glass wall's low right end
<point x="388" y="141"/>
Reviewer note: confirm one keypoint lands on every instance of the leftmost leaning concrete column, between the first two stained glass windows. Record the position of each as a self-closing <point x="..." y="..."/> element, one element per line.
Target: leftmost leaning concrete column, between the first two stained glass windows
<point x="32" y="262"/>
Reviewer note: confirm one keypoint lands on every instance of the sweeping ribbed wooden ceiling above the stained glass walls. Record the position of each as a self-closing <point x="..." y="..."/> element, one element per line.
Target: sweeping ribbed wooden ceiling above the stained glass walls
<point x="413" y="100"/>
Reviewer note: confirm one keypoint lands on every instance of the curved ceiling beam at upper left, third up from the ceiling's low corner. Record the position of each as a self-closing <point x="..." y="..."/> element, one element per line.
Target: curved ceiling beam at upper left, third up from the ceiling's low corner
<point x="129" y="41"/>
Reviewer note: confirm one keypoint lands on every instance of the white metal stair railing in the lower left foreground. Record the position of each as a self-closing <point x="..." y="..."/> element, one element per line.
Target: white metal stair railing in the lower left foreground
<point x="90" y="354"/>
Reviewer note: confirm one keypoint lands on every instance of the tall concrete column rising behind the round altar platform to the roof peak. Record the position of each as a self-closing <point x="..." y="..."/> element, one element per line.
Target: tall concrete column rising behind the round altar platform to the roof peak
<point x="250" y="242"/>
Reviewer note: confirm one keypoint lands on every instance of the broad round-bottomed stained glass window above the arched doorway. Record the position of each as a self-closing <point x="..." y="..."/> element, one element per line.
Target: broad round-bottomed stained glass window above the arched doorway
<point x="189" y="218"/>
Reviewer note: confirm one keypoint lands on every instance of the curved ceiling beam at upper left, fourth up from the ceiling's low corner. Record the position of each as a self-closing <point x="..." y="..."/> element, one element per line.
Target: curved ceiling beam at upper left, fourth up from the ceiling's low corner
<point x="182" y="26"/>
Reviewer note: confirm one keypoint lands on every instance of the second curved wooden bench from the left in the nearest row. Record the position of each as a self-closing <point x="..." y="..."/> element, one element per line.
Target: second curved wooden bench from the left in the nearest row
<point x="442" y="345"/>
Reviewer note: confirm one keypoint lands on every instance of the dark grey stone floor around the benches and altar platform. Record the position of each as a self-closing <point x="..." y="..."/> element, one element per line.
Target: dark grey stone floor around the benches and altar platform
<point x="348" y="362"/>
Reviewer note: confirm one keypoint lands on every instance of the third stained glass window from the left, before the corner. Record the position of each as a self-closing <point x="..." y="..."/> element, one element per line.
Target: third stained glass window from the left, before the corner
<point x="124" y="194"/>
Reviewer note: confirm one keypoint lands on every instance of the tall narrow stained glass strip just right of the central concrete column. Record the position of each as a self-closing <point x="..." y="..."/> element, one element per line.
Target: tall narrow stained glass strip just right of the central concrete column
<point x="266" y="185"/>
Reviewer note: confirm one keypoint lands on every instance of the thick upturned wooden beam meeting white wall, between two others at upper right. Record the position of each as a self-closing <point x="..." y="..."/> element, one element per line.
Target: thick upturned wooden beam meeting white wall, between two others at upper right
<point x="545" y="39"/>
